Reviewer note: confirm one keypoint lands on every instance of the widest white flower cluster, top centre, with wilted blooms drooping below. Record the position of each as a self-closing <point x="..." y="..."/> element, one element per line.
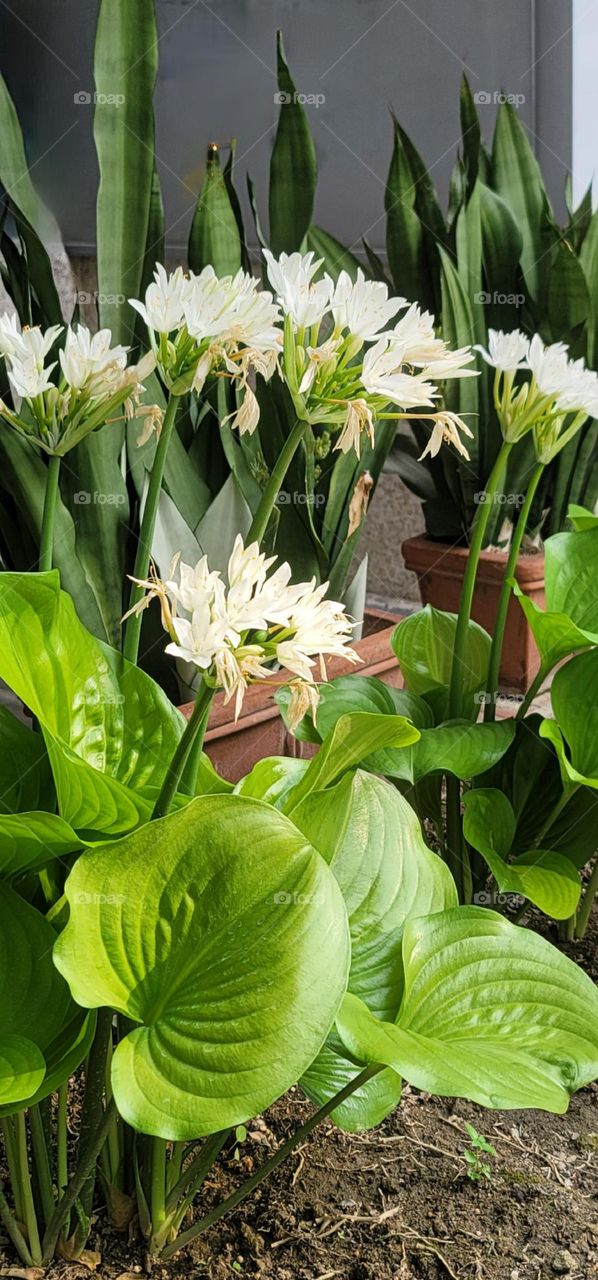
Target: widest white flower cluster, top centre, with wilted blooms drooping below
<point x="314" y="332"/>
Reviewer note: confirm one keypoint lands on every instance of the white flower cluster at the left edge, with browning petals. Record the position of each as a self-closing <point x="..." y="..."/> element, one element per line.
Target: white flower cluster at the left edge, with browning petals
<point x="71" y="396"/>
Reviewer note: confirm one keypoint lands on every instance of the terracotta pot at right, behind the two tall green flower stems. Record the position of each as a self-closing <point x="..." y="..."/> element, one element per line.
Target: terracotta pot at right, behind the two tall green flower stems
<point x="440" y="570"/>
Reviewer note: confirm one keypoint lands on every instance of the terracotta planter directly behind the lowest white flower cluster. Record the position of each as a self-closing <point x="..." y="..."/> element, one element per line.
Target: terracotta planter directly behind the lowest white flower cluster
<point x="236" y="747"/>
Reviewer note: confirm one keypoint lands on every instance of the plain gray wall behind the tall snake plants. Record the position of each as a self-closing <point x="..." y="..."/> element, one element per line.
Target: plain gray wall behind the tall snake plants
<point x="217" y="81"/>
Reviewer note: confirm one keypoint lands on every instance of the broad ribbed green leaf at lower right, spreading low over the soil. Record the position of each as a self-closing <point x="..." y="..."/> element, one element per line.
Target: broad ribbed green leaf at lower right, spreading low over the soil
<point x="491" y="1013"/>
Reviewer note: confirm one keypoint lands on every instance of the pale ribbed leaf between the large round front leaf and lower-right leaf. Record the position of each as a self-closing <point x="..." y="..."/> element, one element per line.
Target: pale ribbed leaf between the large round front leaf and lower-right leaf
<point x="373" y="844"/>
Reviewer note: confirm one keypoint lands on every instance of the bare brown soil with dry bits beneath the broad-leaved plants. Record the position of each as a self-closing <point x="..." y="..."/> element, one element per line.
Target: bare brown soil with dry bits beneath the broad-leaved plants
<point x="396" y="1204"/>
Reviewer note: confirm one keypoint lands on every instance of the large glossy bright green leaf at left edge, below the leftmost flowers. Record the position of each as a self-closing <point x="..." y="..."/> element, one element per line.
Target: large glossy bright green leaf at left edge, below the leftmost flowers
<point x="109" y="730"/>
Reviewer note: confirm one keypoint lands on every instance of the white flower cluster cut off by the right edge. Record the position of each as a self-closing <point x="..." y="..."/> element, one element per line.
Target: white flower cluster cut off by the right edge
<point x="555" y="388"/>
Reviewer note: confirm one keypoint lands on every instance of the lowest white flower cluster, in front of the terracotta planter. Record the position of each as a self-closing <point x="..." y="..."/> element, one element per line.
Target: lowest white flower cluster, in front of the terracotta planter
<point x="234" y="632"/>
